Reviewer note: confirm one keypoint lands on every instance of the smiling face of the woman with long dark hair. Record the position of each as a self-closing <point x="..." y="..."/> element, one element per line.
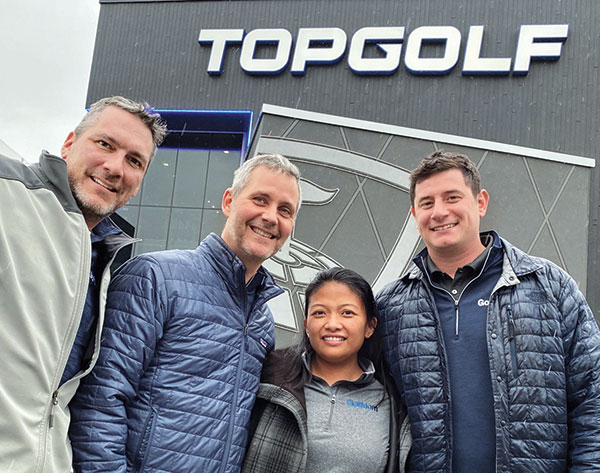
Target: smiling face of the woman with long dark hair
<point x="337" y="324"/>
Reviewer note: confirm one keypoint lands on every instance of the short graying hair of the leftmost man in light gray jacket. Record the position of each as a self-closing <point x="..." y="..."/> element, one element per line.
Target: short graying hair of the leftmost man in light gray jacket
<point x="142" y="110"/>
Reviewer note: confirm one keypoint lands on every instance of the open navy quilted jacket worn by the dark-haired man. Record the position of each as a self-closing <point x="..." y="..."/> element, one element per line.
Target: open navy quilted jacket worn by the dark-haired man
<point x="544" y="355"/>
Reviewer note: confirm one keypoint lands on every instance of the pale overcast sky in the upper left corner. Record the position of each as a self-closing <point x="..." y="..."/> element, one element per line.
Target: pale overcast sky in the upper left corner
<point x="45" y="57"/>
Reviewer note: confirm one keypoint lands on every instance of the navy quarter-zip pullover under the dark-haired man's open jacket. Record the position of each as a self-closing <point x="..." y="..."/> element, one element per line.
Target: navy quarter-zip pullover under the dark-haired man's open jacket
<point x="462" y="308"/>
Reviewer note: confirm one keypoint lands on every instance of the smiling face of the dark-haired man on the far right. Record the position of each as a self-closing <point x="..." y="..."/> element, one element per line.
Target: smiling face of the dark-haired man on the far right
<point x="448" y="214"/>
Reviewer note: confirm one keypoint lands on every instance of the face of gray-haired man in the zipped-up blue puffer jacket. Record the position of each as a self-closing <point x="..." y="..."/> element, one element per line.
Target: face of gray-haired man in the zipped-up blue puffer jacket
<point x="261" y="217"/>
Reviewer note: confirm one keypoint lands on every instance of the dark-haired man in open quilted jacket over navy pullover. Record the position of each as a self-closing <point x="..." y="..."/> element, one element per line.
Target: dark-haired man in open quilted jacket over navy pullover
<point x="496" y="353"/>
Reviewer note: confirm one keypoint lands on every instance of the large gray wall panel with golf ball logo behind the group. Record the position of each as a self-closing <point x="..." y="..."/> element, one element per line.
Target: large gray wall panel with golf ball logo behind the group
<point x="356" y="209"/>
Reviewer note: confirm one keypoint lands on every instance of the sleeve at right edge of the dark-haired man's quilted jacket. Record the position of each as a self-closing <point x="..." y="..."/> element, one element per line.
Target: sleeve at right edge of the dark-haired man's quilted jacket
<point x="581" y="338"/>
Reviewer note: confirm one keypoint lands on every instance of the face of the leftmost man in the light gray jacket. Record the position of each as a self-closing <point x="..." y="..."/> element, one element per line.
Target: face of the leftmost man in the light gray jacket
<point x="106" y="162"/>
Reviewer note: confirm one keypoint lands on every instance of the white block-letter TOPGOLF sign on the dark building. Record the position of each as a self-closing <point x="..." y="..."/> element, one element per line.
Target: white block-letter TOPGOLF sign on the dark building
<point x="323" y="46"/>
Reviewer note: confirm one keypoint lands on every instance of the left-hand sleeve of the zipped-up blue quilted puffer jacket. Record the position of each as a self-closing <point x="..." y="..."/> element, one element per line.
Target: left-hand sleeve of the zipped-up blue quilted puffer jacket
<point x="134" y="318"/>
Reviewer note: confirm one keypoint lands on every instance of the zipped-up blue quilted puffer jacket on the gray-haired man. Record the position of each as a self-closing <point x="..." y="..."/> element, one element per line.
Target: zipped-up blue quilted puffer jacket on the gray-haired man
<point x="179" y="366"/>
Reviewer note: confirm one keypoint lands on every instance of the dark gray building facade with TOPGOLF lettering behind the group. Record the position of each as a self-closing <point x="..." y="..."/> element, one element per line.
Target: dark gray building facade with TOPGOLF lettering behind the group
<point x="356" y="93"/>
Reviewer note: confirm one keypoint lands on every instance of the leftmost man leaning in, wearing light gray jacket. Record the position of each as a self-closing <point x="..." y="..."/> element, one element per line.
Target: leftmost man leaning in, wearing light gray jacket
<point x="56" y="246"/>
